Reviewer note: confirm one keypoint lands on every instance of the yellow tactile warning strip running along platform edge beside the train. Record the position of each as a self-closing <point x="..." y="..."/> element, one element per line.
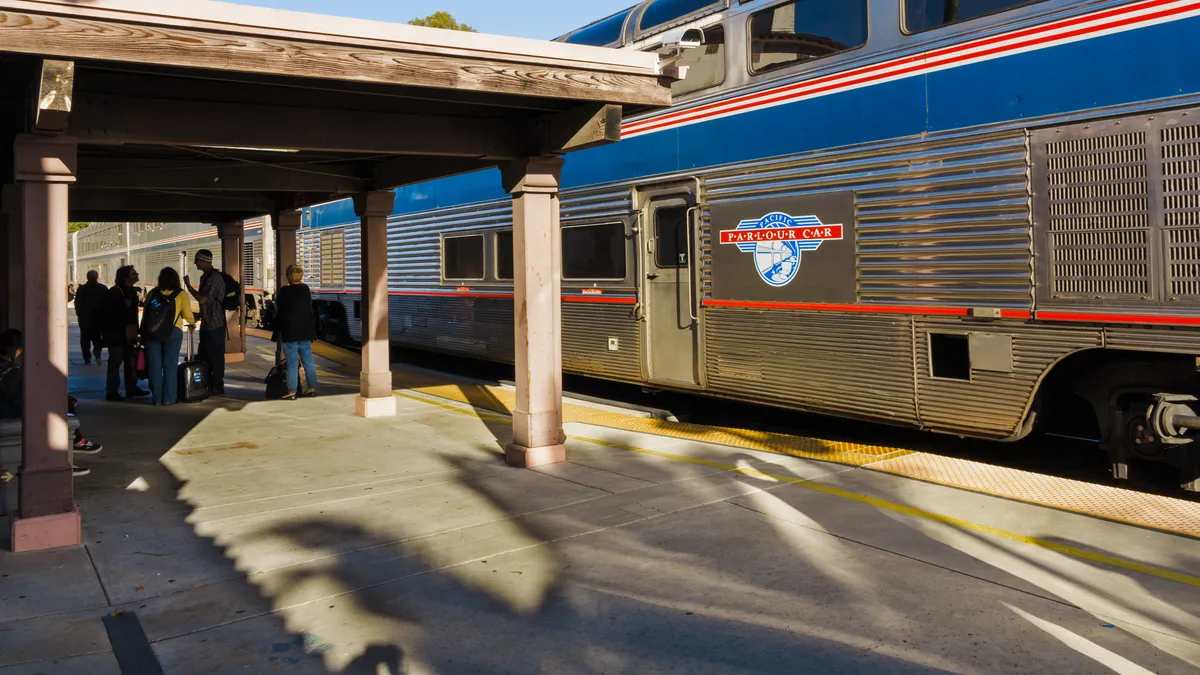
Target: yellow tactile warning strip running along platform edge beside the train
<point x="1154" y="512"/>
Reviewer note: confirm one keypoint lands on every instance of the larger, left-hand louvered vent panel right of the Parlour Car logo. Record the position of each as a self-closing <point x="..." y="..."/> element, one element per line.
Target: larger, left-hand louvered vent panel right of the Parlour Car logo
<point x="1100" y="217"/>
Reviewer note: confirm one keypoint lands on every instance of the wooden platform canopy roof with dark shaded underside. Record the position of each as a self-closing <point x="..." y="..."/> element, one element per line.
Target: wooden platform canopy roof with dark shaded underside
<point x="197" y="111"/>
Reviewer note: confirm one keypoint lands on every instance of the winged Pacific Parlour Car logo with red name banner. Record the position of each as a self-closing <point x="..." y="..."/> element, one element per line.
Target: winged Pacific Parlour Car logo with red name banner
<point x="778" y="241"/>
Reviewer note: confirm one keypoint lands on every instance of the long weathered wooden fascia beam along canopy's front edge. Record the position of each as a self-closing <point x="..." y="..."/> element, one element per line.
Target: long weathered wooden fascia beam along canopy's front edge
<point x="75" y="31"/>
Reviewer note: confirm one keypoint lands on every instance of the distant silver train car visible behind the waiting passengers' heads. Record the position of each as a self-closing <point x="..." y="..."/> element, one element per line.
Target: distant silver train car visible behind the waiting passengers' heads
<point x="151" y="247"/>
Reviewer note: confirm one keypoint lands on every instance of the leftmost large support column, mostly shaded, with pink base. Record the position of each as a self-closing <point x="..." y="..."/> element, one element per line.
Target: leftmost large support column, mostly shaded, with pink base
<point x="49" y="518"/>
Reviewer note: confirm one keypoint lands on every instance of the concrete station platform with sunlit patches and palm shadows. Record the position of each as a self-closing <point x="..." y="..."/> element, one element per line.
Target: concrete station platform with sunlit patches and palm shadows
<point x="250" y="536"/>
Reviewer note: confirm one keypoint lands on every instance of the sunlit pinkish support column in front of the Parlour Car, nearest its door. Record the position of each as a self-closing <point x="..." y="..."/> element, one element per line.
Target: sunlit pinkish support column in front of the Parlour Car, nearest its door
<point x="537" y="271"/>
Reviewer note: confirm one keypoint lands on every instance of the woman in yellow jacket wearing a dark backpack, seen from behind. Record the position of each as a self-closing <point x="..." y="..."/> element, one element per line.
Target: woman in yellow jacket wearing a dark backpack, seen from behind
<point x="167" y="306"/>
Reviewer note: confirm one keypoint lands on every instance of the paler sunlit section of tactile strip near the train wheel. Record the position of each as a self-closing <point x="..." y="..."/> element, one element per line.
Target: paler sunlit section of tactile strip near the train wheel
<point x="1101" y="501"/>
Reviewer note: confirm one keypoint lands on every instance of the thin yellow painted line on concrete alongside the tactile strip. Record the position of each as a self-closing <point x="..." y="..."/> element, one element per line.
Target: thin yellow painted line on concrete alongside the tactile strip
<point x="914" y="512"/>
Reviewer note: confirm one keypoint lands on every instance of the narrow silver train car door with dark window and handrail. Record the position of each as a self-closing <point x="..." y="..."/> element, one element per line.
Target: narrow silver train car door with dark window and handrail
<point x="673" y="327"/>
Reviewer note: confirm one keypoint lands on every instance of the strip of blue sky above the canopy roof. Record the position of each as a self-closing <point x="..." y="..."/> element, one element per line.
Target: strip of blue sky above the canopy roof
<point x="543" y="20"/>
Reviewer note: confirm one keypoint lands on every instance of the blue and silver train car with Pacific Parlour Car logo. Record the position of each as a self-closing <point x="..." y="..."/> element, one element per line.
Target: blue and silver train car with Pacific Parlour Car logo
<point x="969" y="217"/>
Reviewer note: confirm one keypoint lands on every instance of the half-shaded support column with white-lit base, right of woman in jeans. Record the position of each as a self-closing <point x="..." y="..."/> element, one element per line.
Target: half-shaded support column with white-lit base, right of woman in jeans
<point x="375" y="383"/>
